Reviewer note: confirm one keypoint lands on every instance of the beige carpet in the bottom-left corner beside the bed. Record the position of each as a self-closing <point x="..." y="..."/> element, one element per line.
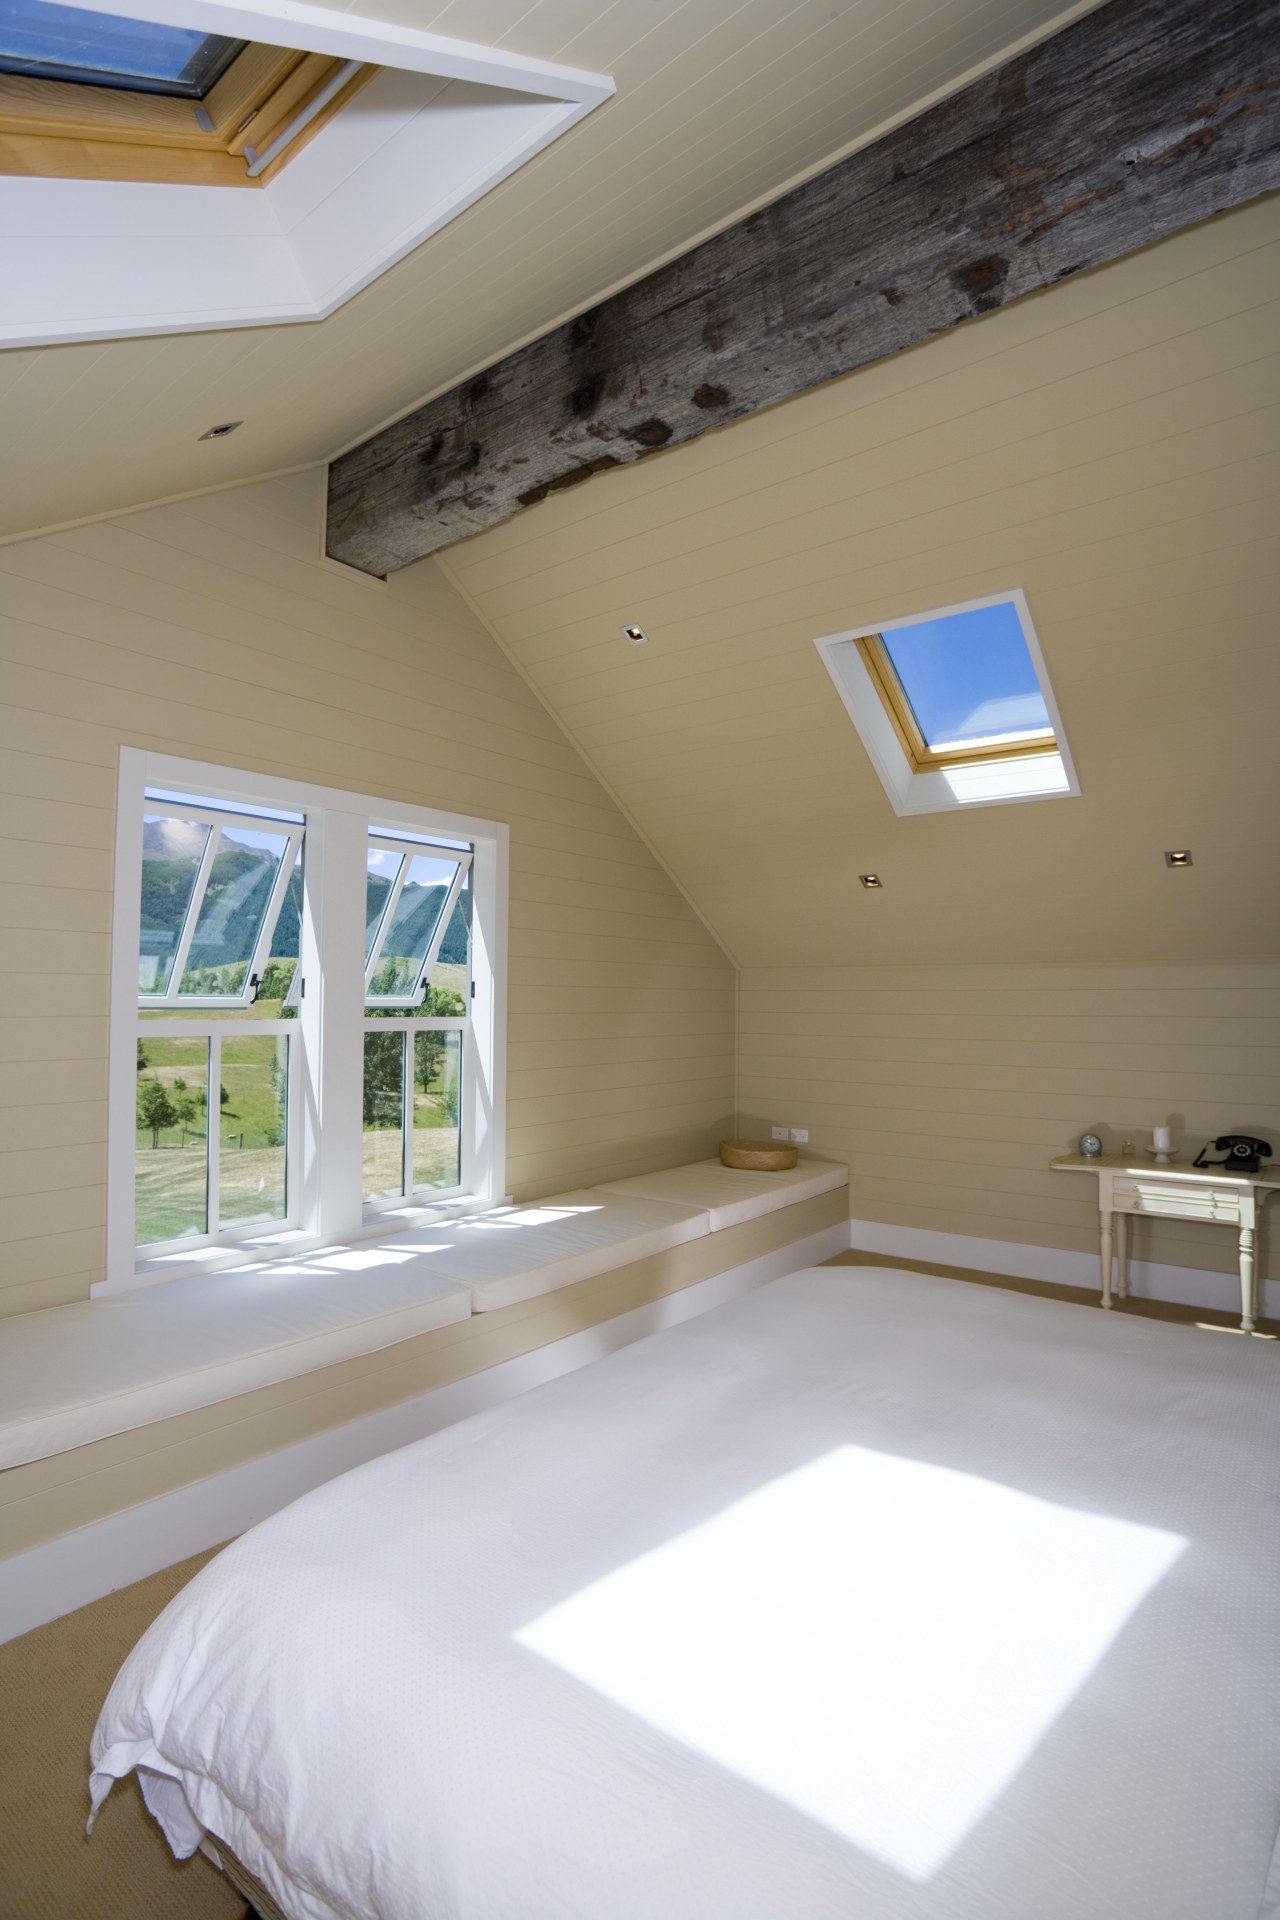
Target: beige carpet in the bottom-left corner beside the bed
<point x="53" y="1685"/>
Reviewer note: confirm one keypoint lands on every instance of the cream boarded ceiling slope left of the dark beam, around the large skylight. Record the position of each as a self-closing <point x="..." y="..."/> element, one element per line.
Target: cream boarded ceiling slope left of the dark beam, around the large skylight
<point x="717" y="108"/>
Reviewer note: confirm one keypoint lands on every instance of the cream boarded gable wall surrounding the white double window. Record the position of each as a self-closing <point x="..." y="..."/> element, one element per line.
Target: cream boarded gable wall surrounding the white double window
<point x="212" y="629"/>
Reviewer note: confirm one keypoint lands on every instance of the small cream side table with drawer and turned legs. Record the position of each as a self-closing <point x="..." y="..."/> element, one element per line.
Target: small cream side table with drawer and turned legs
<point x="1173" y="1189"/>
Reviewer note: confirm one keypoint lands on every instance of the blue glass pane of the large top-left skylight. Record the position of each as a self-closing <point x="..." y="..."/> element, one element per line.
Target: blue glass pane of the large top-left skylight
<point x="64" y="43"/>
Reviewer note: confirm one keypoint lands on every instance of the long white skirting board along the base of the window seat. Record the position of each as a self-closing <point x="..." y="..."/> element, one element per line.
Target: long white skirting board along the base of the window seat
<point x="80" y="1568"/>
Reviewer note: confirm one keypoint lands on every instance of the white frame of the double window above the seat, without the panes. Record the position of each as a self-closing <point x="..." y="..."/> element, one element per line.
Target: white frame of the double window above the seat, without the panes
<point x="327" y="1080"/>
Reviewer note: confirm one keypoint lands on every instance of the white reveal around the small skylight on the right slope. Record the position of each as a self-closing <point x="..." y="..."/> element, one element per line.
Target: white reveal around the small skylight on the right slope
<point x="1007" y="779"/>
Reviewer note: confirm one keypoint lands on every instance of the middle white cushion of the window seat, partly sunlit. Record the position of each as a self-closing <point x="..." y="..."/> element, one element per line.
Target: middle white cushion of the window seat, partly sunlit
<point x="519" y="1253"/>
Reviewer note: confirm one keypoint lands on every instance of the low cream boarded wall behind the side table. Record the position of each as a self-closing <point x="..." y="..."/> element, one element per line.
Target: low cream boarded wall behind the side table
<point x="951" y="1090"/>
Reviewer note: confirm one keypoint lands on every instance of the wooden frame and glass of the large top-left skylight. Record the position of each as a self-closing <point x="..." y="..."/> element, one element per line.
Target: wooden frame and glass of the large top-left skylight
<point x="101" y="97"/>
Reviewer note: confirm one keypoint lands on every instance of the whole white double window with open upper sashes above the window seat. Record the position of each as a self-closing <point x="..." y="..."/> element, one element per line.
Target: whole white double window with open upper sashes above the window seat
<point x="308" y="996"/>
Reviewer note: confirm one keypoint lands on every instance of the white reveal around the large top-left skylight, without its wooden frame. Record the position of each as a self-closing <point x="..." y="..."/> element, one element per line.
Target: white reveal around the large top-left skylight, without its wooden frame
<point x="439" y="126"/>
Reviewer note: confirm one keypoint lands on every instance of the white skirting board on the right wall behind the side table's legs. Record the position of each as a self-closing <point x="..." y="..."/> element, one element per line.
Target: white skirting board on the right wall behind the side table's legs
<point x="1149" y="1280"/>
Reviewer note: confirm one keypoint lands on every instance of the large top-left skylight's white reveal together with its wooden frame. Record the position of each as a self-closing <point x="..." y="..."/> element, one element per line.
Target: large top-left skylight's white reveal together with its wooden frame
<point x="112" y="245"/>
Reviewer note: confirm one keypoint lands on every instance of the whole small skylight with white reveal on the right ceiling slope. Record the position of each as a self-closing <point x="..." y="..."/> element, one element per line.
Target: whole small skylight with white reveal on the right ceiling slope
<point x="955" y="708"/>
